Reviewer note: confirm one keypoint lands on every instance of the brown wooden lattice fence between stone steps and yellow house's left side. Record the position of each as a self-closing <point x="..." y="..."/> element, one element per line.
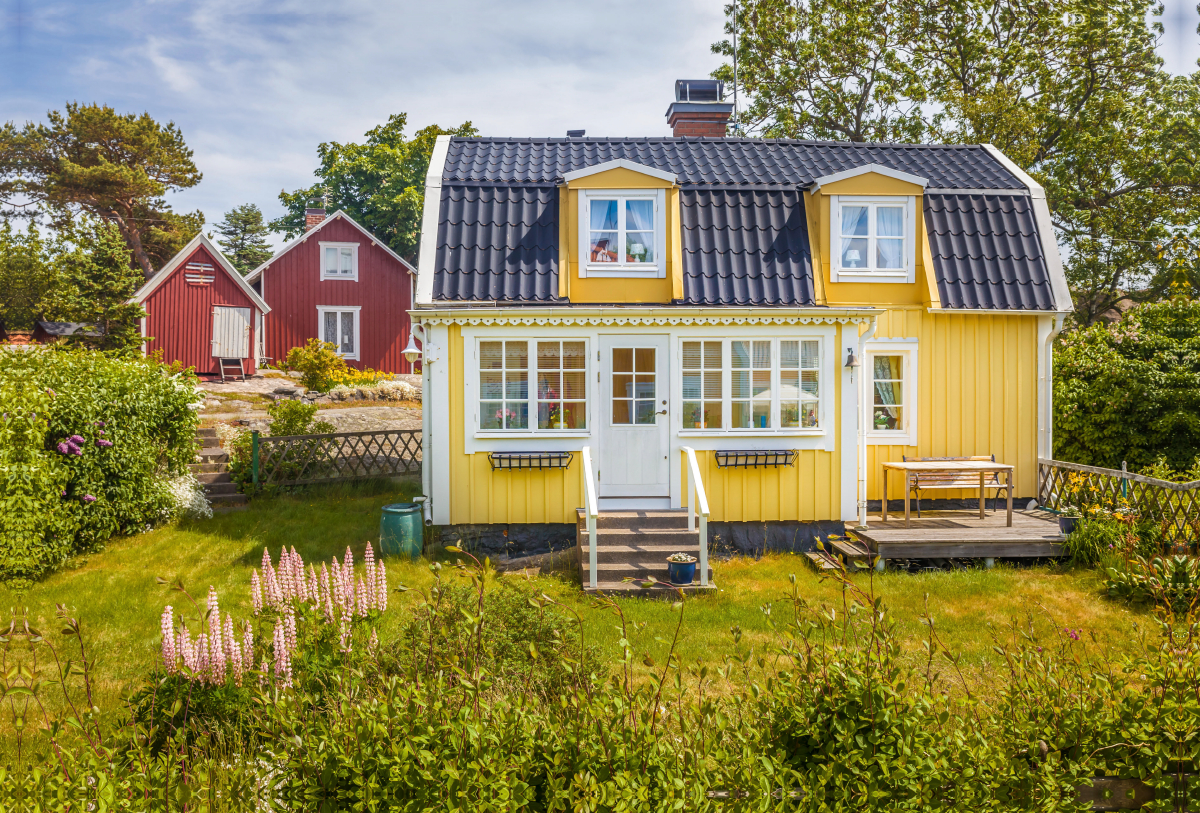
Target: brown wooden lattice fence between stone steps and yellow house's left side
<point x="303" y="460"/>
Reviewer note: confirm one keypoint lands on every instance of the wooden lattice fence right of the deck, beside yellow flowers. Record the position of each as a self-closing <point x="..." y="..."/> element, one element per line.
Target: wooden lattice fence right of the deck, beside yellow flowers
<point x="1174" y="507"/>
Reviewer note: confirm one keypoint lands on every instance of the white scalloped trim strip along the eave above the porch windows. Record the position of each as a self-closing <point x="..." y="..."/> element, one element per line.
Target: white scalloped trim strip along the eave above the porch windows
<point x="659" y="317"/>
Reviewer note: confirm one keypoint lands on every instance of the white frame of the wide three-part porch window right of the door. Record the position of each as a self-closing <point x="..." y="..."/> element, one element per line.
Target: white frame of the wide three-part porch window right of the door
<point x="825" y="380"/>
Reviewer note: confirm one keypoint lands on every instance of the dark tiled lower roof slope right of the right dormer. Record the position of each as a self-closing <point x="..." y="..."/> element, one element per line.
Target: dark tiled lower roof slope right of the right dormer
<point x="987" y="252"/>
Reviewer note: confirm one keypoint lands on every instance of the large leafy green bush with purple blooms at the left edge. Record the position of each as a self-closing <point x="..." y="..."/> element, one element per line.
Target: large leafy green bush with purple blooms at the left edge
<point x="89" y="447"/>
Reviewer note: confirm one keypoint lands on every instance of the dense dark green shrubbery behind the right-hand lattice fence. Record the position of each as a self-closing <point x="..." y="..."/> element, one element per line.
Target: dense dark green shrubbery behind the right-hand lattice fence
<point x="1131" y="392"/>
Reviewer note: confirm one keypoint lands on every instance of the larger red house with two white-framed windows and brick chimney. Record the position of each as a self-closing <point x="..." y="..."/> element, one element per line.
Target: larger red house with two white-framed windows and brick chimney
<point x="340" y="284"/>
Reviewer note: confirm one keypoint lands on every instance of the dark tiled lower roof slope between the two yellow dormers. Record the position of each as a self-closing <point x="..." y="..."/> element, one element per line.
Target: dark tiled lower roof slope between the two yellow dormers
<point x="746" y="248"/>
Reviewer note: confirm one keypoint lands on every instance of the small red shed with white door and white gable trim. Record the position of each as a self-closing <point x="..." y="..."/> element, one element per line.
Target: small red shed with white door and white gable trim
<point x="200" y="311"/>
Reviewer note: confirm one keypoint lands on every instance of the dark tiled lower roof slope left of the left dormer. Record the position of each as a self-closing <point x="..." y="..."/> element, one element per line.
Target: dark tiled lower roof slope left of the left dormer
<point x="497" y="244"/>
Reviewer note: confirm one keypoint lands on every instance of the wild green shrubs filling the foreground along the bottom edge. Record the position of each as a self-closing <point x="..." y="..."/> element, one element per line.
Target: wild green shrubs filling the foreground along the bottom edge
<point x="831" y="716"/>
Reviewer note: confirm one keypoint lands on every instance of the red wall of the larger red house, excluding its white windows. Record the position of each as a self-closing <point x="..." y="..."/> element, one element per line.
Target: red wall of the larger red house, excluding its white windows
<point x="293" y="287"/>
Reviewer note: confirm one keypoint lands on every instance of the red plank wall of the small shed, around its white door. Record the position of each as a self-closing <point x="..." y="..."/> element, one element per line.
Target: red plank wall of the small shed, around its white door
<point x="179" y="316"/>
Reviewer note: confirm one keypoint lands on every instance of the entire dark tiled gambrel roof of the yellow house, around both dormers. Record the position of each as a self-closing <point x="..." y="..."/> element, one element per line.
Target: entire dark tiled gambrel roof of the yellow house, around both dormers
<point x="745" y="231"/>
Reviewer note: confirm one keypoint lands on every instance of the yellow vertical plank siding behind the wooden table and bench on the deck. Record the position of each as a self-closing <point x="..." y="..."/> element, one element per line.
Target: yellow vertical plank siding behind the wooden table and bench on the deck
<point x="977" y="393"/>
